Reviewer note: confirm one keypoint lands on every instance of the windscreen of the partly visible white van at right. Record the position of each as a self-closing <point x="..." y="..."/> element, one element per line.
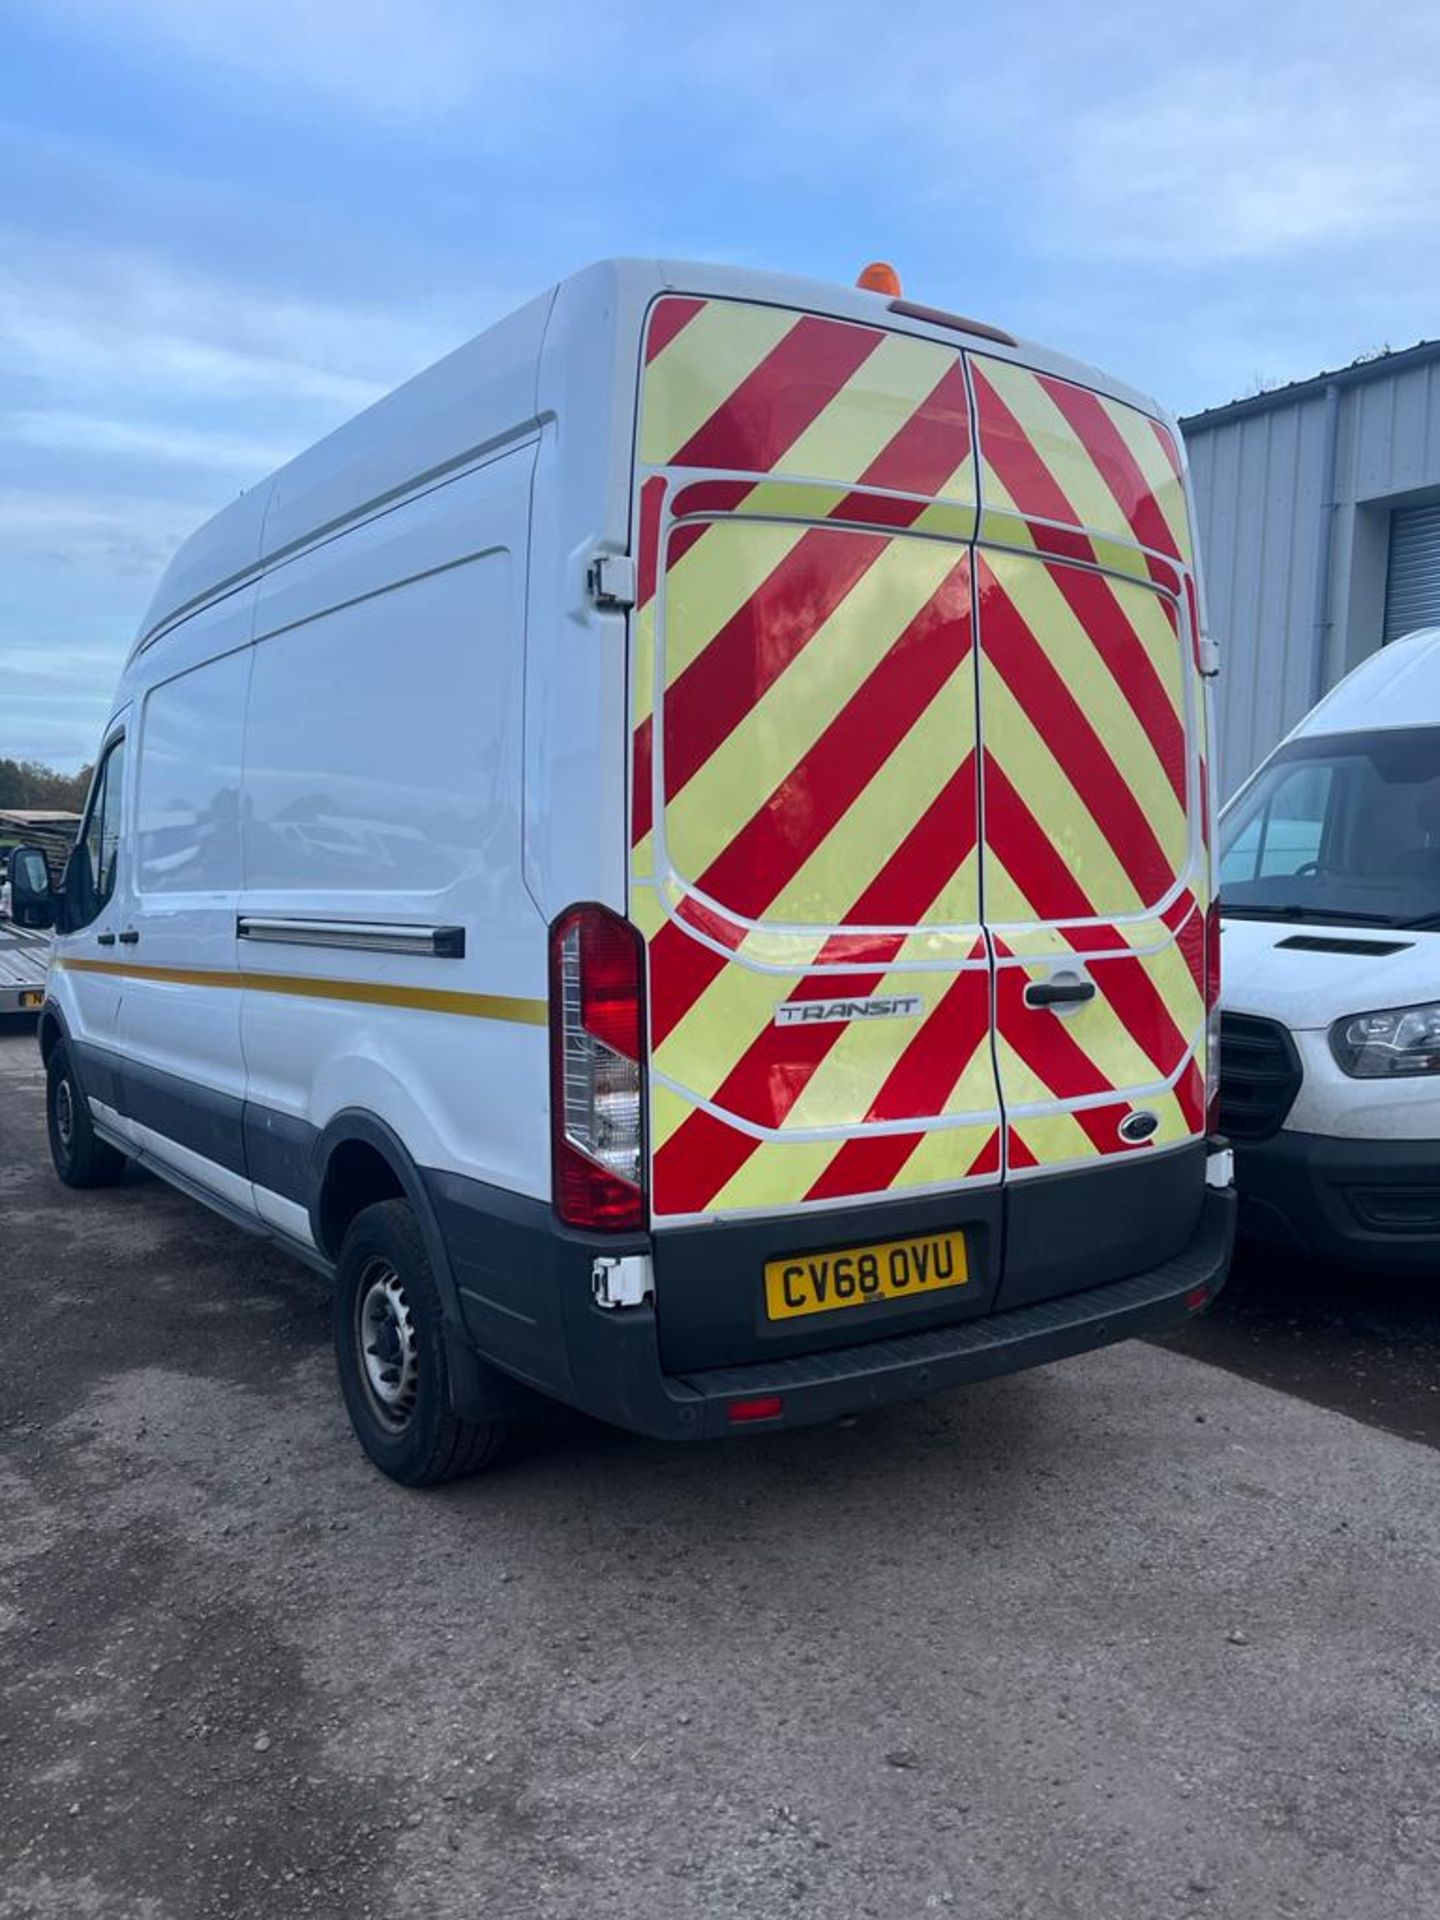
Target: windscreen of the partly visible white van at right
<point x="1341" y="828"/>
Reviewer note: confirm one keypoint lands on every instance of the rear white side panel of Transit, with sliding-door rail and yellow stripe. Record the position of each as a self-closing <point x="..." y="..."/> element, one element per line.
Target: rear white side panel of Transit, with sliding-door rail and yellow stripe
<point x="381" y="786"/>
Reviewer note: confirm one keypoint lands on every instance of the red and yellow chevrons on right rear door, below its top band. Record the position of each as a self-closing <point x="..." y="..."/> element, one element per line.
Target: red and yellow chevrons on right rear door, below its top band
<point x="1088" y="780"/>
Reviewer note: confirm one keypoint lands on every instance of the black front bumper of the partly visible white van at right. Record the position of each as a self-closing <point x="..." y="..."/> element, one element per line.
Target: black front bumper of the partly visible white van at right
<point x="1370" y="1205"/>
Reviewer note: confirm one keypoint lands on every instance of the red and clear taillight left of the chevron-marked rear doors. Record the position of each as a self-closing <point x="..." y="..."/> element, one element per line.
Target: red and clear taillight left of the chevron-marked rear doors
<point x="596" y="1026"/>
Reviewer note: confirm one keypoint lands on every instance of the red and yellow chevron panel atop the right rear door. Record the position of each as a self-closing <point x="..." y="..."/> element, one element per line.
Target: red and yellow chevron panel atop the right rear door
<point x="1078" y="475"/>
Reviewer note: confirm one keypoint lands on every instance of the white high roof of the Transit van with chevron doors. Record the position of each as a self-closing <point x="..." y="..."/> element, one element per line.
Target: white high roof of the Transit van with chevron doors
<point x="485" y="395"/>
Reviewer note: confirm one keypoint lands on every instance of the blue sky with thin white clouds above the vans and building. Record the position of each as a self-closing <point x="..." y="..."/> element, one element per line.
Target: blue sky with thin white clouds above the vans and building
<point x="226" y="226"/>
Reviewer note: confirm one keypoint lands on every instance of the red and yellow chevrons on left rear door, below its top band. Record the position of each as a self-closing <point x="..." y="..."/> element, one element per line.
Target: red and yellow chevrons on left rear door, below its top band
<point x="819" y="771"/>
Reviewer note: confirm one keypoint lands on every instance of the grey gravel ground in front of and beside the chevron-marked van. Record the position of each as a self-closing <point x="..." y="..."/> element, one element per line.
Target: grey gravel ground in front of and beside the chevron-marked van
<point x="1130" y="1637"/>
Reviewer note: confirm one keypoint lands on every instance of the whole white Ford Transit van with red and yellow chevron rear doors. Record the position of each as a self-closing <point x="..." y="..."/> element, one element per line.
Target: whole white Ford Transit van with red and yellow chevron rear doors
<point x="544" y="871"/>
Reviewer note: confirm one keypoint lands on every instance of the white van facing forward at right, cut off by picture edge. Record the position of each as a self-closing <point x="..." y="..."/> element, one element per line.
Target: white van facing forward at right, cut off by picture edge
<point x="1332" y="1007"/>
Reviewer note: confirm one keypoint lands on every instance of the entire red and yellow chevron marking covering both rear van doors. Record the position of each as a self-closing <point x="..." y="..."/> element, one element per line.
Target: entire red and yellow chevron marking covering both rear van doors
<point x="807" y="771"/>
